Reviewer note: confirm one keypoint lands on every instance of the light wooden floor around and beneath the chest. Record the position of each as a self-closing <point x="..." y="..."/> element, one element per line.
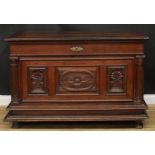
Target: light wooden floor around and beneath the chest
<point x="149" y="124"/>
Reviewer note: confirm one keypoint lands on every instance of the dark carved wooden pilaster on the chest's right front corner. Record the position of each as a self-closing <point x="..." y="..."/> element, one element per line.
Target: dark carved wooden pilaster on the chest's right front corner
<point x="139" y="79"/>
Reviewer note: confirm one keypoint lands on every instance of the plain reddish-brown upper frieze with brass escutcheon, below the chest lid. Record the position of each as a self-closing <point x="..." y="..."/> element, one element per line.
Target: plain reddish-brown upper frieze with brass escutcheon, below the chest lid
<point x="71" y="48"/>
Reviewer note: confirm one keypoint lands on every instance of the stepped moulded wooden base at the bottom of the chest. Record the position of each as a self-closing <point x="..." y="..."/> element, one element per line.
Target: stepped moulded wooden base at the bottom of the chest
<point x="134" y="114"/>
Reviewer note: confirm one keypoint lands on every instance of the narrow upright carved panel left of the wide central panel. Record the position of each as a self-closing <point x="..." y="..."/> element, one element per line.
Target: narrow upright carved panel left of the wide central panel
<point x="37" y="80"/>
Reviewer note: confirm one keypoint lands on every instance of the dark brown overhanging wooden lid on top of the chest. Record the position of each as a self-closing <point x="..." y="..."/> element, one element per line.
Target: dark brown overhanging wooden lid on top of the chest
<point x="62" y="36"/>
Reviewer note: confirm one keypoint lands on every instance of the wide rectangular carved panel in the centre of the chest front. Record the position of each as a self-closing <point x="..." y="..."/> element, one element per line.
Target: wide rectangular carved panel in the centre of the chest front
<point x="77" y="79"/>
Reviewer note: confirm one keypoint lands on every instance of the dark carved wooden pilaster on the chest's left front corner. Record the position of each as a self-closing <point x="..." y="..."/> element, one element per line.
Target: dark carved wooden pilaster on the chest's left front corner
<point x="14" y="68"/>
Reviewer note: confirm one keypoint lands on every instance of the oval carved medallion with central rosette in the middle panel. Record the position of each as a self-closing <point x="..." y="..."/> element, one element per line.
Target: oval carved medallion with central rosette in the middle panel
<point x="78" y="80"/>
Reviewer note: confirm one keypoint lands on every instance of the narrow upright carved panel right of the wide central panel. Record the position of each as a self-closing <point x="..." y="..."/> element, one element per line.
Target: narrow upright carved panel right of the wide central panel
<point x="117" y="79"/>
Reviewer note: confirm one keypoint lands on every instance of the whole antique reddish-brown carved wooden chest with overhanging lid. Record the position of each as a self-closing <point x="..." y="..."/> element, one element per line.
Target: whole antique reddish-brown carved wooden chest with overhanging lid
<point x="73" y="76"/>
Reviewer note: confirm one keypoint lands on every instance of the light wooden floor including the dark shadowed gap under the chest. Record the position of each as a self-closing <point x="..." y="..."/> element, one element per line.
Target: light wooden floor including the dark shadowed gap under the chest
<point x="149" y="124"/>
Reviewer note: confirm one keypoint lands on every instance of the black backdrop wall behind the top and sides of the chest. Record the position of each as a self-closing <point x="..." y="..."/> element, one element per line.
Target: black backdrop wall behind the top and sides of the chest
<point x="148" y="29"/>
